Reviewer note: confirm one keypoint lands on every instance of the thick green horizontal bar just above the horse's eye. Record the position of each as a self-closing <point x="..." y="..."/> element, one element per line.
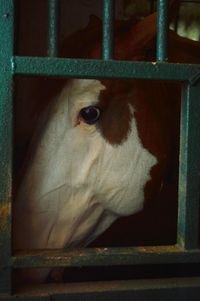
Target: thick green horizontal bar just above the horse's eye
<point x="103" y="69"/>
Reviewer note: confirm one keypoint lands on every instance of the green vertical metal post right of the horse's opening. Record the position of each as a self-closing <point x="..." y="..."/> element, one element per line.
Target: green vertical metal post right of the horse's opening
<point x="189" y="168"/>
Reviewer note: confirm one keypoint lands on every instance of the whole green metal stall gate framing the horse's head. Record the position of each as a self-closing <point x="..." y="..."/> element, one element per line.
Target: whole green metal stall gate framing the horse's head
<point x="186" y="250"/>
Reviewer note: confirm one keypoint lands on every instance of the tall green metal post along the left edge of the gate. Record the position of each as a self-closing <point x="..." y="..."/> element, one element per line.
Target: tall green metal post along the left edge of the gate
<point x="6" y="117"/>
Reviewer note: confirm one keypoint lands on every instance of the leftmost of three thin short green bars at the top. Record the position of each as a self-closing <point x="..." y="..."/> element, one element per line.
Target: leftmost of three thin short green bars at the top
<point x="53" y="28"/>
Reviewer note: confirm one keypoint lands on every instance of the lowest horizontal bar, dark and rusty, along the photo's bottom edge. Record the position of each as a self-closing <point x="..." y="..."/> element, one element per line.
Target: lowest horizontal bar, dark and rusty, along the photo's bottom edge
<point x="173" y="289"/>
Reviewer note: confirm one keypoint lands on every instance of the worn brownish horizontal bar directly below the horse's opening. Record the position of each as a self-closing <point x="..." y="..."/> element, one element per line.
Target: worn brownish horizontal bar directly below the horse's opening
<point x="105" y="257"/>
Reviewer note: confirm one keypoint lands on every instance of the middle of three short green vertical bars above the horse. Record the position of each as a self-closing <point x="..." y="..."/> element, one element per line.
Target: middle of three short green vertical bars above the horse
<point x="108" y="24"/>
